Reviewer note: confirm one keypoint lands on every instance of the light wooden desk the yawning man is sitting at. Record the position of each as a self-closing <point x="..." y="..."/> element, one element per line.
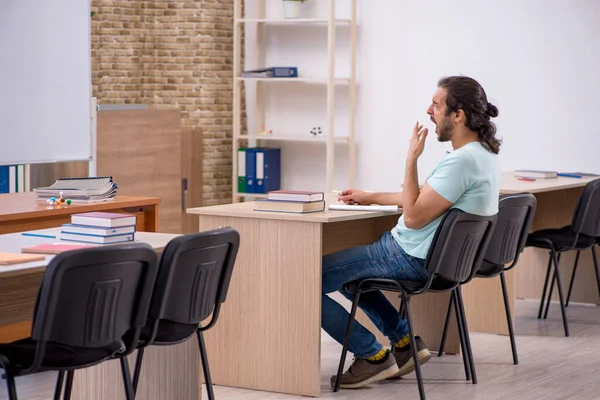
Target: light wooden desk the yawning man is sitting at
<point x="271" y="322"/>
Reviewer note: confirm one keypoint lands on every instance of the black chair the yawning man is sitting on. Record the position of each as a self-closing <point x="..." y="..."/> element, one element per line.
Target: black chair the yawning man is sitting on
<point x="457" y="249"/>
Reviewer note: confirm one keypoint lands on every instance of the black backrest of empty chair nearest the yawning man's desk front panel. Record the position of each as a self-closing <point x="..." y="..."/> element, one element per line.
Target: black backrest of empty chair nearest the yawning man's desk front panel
<point x="194" y="274"/>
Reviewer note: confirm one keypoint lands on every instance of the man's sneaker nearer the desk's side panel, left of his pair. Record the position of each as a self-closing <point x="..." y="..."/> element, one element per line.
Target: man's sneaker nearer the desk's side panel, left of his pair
<point x="363" y="372"/>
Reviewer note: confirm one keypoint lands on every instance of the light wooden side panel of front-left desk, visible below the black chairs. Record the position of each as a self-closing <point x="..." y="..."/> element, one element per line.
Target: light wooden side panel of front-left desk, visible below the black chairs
<point x="168" y="372"/>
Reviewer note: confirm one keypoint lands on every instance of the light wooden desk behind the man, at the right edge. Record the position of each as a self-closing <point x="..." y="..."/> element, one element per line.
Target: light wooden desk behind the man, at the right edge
<point x="556" y="202"/>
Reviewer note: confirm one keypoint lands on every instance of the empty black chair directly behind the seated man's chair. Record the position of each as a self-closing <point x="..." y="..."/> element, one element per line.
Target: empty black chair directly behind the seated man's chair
<point x="515" y="215"/>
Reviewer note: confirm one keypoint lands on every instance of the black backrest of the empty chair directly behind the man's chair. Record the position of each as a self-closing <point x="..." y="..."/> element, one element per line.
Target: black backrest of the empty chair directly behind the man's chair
<point x="515" y="215"/>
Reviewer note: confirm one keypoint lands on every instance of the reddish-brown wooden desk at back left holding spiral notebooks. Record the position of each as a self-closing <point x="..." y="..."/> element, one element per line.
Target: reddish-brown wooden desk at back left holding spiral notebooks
<point x="21" y="212"/>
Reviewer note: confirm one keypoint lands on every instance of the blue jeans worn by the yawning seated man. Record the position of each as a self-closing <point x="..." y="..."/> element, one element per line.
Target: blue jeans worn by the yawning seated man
<point x="382" y="259"/>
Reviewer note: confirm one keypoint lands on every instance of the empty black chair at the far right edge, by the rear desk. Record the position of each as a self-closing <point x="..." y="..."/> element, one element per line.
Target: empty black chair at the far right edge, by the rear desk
<point x="580" y="235"/>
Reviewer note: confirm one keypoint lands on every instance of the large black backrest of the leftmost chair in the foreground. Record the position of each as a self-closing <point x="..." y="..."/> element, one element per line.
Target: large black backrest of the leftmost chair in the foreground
<point x="94" y="297"/>
